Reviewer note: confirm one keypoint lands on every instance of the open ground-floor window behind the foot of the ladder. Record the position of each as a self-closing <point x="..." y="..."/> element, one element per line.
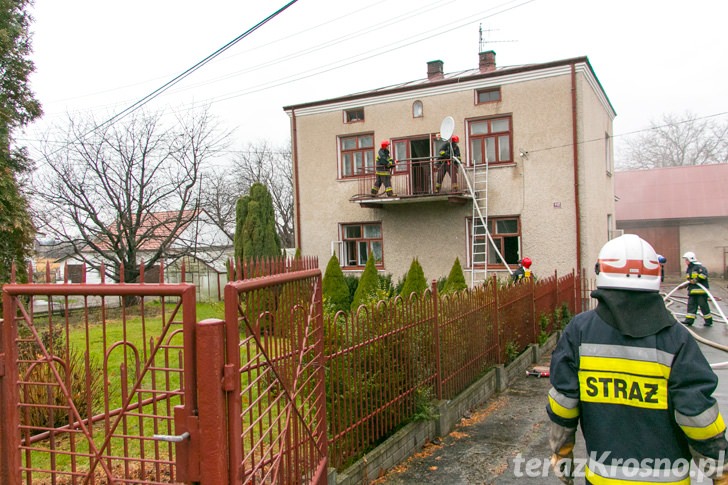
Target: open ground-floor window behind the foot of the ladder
<point x="506" y="235"/>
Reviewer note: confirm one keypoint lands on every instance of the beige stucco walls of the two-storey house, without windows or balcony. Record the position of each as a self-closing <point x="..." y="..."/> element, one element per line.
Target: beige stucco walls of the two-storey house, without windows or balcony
<point x="539" y="187"/>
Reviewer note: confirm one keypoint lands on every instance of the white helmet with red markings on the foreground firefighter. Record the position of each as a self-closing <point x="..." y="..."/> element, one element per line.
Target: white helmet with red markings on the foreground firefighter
<point x="628" y="263"/>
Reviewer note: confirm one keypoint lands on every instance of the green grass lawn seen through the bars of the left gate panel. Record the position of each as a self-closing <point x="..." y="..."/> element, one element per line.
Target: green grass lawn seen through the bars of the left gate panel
<point x="123" y="348"/>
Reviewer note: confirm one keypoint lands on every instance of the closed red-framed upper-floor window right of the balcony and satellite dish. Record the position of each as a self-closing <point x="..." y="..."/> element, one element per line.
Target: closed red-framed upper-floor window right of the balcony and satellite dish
<point x="490" y="140"/>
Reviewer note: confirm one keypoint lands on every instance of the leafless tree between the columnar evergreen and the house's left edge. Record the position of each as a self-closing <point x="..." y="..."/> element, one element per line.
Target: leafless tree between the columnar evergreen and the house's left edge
<point x="273" y="167"/>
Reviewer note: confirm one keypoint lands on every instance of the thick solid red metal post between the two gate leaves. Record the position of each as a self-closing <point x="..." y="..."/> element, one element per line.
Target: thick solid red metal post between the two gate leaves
<point x="211" y="402"/>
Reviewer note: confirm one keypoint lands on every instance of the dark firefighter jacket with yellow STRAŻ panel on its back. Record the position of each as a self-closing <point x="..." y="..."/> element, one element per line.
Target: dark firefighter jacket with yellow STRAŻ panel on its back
<point x="642" y="399"/>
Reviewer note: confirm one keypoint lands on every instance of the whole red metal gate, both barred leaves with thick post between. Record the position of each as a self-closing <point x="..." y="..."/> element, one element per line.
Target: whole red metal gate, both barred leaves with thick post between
<point x="119" y="383"/>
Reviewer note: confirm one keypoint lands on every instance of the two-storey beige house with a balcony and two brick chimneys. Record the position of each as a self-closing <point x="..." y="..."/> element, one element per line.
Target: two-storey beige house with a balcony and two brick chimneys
<point x="536" y="171"/>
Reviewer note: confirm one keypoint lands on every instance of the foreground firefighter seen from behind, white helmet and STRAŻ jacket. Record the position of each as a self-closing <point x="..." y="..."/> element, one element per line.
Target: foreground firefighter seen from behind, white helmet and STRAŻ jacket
<point x="636" y="382"/>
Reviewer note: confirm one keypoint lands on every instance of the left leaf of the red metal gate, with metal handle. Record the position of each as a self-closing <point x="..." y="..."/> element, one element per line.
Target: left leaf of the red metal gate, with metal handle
<point x="84" y="391"/>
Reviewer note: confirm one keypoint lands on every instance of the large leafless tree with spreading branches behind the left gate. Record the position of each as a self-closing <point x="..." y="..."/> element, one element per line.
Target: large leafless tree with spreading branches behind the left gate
<point x="114" y="191"/>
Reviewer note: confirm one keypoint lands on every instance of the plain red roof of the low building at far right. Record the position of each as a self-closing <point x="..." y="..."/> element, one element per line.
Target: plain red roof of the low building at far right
<point x="672" y="193"/>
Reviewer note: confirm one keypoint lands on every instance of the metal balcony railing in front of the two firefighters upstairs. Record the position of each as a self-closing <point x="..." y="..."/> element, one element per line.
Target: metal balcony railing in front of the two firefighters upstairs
<point x="416" y="178"/>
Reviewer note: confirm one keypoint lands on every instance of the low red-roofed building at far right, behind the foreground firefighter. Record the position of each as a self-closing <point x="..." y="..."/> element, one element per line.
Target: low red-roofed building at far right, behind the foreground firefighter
<point x="678" y="209"/>
